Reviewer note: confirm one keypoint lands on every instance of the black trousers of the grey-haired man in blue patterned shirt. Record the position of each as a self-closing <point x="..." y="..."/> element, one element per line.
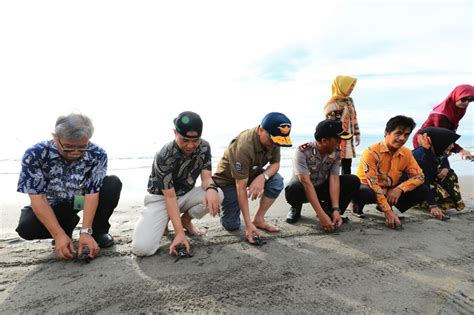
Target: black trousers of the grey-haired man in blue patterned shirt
<point x="30" y="228"/>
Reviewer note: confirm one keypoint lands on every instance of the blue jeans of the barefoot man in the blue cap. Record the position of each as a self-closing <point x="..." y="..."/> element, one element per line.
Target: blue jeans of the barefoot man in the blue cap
<point x="230" y="214"/>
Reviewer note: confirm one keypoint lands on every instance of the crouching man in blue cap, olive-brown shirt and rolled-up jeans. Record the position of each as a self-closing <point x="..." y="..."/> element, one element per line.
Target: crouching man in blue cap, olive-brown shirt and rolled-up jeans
<point x="249" y="169"/>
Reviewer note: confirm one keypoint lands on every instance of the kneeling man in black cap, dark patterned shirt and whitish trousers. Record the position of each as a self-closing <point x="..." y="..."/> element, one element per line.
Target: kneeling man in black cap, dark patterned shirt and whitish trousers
<point x="172" y="192"/>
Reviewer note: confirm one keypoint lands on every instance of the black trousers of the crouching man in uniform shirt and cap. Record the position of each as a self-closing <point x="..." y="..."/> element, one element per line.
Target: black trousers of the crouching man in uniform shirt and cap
<point x="349" y="185"/>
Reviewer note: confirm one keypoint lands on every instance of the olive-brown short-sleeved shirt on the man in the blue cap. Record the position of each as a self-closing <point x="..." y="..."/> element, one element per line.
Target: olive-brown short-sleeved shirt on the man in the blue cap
<point x="245" y="157"/>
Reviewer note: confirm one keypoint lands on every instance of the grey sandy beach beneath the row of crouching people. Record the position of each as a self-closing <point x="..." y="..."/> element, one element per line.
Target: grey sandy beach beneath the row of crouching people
<point x="364" y="268"/>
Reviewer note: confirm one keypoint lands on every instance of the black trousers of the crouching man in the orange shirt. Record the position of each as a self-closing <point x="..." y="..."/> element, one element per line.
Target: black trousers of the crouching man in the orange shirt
<point x="366" y="195"/>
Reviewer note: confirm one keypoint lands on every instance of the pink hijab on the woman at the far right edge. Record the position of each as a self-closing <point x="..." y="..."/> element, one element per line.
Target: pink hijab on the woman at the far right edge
<point x="449" y="109"/>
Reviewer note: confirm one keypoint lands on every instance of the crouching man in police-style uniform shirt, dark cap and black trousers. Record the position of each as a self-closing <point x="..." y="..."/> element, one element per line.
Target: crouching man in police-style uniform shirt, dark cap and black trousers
<point x="316" y="177"/>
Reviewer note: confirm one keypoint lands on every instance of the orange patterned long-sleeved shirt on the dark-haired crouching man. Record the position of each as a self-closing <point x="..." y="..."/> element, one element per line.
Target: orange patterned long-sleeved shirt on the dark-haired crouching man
<point x="381" y="171"/>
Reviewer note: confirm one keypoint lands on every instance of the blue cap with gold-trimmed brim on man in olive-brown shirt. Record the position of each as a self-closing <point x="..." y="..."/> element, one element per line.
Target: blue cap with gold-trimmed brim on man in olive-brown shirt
<point x="279" y="127"/>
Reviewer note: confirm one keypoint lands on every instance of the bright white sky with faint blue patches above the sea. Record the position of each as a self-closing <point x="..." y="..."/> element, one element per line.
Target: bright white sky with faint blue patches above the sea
<point x="132" y="66"/>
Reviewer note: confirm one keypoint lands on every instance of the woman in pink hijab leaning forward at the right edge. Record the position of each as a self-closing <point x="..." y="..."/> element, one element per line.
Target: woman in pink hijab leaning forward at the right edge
<point x="448" y="114"/>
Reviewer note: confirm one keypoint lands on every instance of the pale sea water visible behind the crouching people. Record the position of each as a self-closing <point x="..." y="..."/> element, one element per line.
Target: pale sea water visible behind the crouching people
<point x="133" y="162"/>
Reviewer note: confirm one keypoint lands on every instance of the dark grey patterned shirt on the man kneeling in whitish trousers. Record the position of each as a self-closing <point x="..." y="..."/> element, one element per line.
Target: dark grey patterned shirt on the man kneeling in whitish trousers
<point x="171" y="168"/>
